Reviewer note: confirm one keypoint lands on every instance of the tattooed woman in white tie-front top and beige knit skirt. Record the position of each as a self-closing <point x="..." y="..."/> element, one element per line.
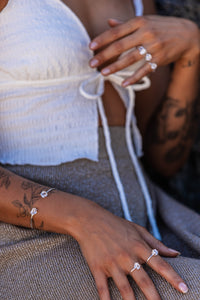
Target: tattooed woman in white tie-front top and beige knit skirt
<point x="49" y="139"/>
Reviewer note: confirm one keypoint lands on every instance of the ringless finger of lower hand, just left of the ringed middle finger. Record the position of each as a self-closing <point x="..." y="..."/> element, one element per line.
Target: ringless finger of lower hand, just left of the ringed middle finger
<point x="123" y="285"/>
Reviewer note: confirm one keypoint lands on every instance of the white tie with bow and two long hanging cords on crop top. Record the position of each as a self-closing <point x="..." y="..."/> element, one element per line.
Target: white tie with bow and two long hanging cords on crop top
<point x="98" y="79"/>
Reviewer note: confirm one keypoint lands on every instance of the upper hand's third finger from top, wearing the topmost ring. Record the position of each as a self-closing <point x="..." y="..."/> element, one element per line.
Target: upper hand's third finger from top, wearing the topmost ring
<point x="123" y="62"/>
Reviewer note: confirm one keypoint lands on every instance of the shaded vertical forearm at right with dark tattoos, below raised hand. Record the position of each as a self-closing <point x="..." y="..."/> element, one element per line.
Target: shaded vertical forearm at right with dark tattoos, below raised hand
<point x="171" y="130"/>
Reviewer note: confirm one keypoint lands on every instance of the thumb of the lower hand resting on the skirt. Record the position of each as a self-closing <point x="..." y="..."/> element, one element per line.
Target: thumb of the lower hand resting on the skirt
<point x="156" y="244"/>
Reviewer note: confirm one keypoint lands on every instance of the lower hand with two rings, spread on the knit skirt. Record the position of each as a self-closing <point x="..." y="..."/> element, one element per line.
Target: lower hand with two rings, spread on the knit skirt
<point x="112" y="245"/>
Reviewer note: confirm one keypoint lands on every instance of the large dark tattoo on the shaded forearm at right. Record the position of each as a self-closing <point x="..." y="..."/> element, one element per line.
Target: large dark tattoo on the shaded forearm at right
<point x="174" y="123"/>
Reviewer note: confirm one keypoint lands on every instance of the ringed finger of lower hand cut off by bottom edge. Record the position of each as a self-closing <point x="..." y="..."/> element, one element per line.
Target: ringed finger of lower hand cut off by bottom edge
<point x="145" y="284"/>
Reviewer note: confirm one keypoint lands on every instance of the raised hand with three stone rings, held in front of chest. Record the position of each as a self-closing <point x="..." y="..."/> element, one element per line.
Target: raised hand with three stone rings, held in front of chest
<point x="166" y="39"/>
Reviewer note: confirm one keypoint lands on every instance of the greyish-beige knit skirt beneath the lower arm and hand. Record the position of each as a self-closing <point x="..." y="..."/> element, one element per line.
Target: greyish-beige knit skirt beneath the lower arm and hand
<point x="47" y="266"/>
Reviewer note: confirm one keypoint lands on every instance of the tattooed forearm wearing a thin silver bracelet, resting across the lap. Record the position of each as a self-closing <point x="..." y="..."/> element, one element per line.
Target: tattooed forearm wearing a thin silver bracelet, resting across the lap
<point x="59" y="212"/>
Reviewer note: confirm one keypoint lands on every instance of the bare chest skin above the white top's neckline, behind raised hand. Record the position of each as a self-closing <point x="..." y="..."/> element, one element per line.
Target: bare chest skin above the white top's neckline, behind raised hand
<point x="94" y="14"/>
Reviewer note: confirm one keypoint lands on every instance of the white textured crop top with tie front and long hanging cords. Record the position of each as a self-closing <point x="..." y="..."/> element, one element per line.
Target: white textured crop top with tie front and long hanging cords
<point x="50" y="97"/>
